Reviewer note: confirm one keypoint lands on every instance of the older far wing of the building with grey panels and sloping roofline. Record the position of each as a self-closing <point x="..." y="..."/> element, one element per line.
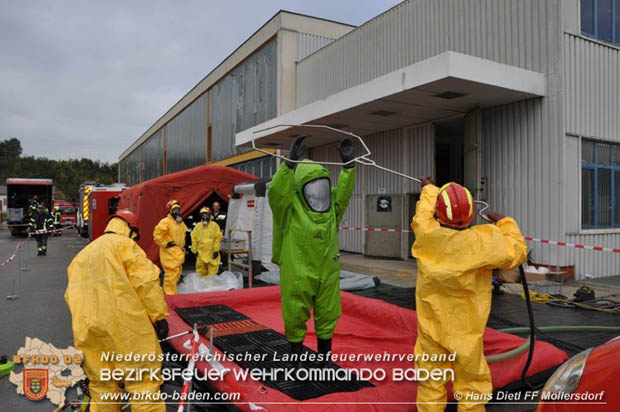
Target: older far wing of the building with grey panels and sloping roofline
<point x="255" y="83"/>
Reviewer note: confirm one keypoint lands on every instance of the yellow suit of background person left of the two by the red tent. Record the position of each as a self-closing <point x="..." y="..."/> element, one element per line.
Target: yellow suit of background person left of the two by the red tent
<point x="168" y="230"/>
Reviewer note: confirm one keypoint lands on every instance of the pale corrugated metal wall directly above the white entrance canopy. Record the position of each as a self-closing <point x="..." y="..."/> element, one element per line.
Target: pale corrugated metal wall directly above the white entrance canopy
<point x="520" y="33"/>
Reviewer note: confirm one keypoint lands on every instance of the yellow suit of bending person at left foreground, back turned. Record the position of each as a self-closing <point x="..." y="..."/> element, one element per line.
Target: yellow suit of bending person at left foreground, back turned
<point x="114" y="297"/>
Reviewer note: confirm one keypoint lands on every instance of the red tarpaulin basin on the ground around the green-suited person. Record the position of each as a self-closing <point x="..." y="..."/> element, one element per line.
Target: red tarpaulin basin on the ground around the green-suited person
<point x="367" y="326"/>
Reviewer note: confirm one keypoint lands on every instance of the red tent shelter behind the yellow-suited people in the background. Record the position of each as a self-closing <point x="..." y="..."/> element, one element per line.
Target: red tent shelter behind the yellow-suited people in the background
<point x="190" y="187"/>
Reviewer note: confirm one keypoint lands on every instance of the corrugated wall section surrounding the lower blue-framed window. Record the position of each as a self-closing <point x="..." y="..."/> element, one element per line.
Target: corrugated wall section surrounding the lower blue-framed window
<point x="592" y="102"/>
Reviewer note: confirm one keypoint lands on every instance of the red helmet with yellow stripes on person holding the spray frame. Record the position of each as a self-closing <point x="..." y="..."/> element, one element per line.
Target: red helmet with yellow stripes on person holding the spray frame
<point x="455" y="206"/>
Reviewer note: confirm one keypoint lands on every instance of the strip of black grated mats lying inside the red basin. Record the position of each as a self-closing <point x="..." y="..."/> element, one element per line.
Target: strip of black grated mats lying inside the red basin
<point x="272" y="345"/>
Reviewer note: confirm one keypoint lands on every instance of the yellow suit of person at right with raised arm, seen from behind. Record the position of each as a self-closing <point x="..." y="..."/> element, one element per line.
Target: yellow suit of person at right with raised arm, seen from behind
<point x="453" y="298"/>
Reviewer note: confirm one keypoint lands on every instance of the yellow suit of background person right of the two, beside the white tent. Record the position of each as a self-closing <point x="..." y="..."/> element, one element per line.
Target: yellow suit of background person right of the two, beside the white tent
<point x="206" y="240"/>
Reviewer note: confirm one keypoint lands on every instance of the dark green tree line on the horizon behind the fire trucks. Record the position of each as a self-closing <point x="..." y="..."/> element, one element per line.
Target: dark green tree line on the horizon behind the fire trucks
<point x="66" y="174"/>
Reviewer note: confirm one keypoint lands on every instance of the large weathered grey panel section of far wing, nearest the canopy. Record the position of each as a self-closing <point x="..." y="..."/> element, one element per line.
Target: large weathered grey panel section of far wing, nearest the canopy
<point x="244" y="98"/>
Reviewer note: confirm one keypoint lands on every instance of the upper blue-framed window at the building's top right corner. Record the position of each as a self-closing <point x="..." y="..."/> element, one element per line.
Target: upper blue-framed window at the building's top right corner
<point x="601" y="19"/>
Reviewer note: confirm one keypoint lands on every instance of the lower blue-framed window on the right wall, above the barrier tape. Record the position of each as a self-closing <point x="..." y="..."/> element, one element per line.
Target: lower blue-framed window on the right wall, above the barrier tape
<point x="600" y="185"/>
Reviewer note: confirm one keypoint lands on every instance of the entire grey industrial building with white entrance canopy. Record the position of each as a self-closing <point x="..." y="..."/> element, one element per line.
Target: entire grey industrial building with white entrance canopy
<point x="518" y="100"/>
